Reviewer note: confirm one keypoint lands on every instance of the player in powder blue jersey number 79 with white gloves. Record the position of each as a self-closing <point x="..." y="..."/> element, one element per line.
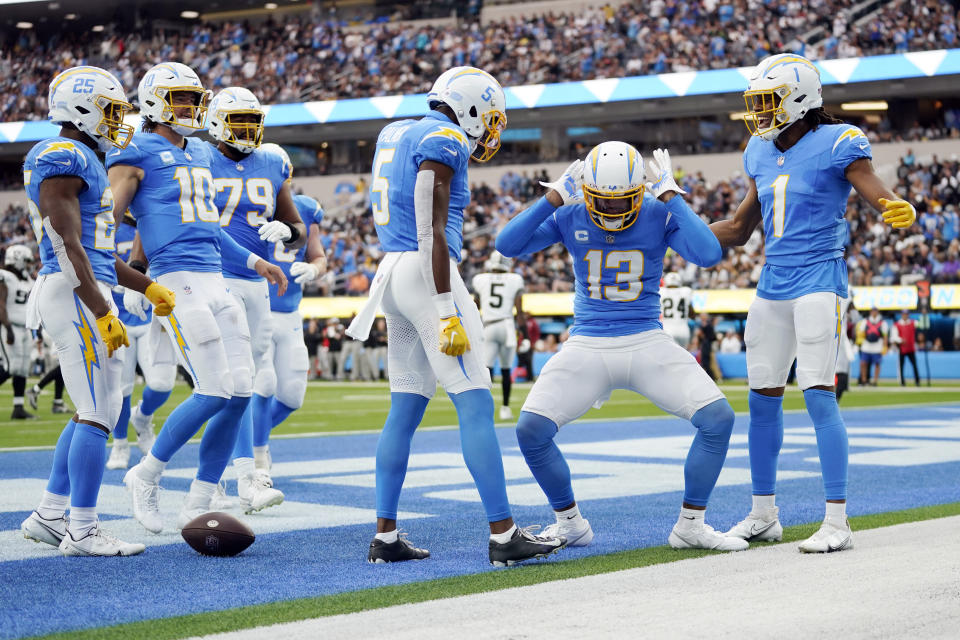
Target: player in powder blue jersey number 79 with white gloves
<point x="257" y="210"/>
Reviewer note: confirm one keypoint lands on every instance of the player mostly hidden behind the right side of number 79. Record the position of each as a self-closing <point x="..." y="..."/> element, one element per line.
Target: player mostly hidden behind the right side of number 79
<point x="279" y="388"/>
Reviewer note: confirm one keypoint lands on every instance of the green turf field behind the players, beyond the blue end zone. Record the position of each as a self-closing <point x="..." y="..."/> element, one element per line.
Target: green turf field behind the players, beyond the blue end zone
<point x="332" y="406"/>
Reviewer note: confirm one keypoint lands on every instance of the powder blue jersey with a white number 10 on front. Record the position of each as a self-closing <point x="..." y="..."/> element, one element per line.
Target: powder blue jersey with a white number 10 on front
<point x="179" y="223"/>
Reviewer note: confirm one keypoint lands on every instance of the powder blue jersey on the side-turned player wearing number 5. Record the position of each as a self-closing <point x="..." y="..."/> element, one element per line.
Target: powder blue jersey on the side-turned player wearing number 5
<point x="401" y="148"/>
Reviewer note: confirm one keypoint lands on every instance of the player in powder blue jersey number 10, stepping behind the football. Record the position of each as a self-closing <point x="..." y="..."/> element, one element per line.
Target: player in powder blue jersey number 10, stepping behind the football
<point x="164" y="177"/>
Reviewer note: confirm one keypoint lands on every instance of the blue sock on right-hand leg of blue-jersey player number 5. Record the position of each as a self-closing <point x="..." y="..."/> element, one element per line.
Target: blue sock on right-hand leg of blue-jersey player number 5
<point x="481" y="450"/>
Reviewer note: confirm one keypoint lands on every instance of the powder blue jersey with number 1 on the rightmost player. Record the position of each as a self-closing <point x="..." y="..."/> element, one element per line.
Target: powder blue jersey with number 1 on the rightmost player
<point x="803" y="196"/>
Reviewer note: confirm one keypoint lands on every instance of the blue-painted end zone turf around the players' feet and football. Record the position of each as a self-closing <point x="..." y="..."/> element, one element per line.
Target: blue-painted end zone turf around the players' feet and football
<point x="48" y="594"/>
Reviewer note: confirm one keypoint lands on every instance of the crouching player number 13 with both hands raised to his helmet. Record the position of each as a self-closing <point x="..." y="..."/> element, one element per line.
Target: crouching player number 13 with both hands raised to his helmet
<point x="617" y="234"/>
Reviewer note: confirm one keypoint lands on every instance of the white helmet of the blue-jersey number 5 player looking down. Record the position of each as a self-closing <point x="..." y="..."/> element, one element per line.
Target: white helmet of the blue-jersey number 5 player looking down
<point x="479" y="104"/>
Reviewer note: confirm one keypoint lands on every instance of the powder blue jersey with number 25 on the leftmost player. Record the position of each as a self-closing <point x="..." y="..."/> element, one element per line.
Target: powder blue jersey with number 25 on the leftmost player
<point x="65" y="157"/>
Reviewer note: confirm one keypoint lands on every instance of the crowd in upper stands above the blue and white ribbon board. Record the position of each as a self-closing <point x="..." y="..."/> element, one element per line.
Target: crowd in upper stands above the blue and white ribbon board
<point x="302" y="59"/>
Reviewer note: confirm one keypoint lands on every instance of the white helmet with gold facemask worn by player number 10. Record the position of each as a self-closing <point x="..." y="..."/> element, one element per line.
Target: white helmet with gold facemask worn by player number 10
<point x="156" y="95"/>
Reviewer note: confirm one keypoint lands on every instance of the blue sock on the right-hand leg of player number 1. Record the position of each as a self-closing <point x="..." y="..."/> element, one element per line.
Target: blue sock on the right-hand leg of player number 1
<point x="831" y="441"/>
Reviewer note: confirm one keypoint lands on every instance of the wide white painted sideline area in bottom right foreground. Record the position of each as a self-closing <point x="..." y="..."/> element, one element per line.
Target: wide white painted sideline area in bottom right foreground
<point x="898" y="581"/>
